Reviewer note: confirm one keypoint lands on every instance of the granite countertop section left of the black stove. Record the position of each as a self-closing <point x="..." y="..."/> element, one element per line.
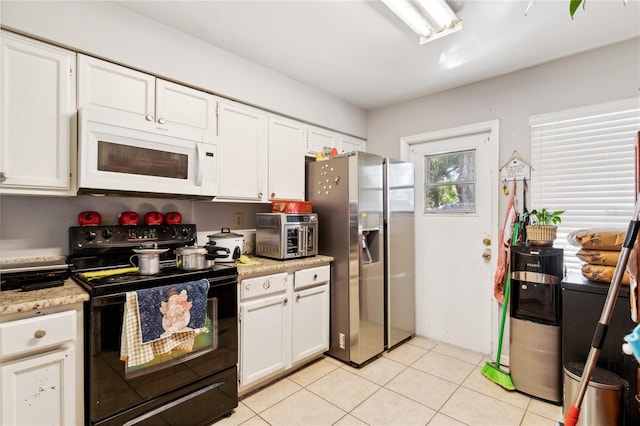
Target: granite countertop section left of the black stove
<point x="17" y="301"/>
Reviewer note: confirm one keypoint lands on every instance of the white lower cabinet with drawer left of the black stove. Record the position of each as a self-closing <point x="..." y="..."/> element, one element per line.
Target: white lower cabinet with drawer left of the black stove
<point x="41" y="370"/>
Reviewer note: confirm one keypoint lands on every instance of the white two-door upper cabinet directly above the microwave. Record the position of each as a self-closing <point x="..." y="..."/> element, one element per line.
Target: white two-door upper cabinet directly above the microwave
<point x="103" y="84"/>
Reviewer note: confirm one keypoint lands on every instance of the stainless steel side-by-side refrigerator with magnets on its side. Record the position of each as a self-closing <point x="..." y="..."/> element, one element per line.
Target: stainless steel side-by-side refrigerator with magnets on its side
<point x="347" y="192"/>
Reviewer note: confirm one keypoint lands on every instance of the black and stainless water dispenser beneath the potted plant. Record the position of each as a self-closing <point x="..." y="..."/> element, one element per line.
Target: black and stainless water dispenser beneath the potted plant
<point x="535" y="361"/>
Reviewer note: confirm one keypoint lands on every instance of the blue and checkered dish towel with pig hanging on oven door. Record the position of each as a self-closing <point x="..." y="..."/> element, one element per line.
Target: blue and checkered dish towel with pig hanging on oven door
<point x="162" y="319"/>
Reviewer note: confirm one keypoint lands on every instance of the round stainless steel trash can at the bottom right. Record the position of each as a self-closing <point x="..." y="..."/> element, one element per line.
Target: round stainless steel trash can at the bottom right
<point x="603" y="401"/>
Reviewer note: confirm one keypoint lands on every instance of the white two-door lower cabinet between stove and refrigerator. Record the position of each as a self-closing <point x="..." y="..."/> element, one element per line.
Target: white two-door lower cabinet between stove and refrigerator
<point x="284" y="322"/>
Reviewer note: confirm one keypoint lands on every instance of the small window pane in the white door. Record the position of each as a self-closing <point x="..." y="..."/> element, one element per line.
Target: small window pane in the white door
<point x="450" y="182"/>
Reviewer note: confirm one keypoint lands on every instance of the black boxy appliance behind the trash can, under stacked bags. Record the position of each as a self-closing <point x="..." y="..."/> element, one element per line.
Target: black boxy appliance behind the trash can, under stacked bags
<point x="582" y="304"/>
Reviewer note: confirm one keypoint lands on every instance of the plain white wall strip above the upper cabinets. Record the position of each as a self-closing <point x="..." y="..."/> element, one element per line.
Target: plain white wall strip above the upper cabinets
<point x="107" y="30"/>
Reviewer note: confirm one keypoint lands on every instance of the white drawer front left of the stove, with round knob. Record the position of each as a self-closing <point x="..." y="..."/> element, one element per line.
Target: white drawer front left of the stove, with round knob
<point x="34" y="334"/>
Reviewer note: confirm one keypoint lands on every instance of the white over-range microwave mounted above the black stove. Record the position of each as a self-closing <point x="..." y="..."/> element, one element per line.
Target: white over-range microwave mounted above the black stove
<point x="119" y="155"/>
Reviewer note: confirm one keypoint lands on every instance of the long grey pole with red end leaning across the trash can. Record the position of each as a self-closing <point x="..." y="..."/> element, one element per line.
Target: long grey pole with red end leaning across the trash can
<point x="572" y="415"/>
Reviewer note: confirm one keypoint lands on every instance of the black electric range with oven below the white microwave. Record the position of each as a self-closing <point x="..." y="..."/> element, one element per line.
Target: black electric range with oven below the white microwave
<point x="182" y="388"/>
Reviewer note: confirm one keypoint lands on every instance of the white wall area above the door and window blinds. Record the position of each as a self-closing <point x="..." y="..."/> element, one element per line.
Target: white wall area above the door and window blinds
<point x="598" y="76"/>
